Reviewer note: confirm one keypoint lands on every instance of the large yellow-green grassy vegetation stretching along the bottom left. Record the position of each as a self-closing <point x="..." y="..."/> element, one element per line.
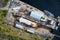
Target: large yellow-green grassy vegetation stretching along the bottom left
<point x="8" y="32"/>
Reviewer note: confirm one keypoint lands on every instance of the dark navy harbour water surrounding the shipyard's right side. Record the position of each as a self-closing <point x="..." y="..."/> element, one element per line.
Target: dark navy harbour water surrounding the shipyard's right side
<point x="50" y="5"/>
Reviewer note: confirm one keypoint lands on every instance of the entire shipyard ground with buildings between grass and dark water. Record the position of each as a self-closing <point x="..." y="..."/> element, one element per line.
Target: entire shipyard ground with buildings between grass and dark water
<point x="32" y="20"/>
